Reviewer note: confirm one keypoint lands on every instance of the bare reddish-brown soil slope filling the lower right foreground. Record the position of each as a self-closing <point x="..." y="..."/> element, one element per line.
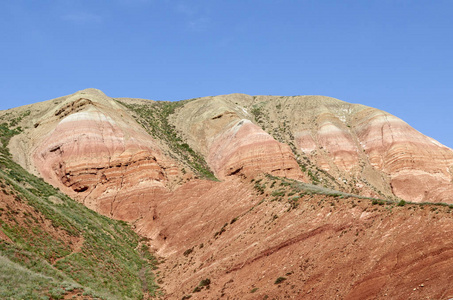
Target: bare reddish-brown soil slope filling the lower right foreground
<point x="325" y="248"/>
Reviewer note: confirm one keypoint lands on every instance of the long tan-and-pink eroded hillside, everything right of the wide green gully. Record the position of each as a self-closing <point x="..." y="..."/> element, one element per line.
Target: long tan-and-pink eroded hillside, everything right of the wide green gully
<point x="345" y="146"/>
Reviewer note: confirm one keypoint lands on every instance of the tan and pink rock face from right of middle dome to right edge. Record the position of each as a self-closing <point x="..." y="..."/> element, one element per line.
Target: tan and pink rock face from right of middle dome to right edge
<point x="356" y="148"/>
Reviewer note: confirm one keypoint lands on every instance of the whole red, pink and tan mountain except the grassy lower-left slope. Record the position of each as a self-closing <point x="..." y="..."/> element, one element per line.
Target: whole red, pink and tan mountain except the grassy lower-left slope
<point x="254" y="197"/>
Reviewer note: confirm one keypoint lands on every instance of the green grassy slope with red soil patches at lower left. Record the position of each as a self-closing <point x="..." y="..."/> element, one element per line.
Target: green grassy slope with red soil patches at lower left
<point x="36" y="263"/>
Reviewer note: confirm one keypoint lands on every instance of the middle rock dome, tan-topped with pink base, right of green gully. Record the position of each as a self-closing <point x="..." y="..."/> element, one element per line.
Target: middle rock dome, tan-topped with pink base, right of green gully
<point x="233" y="144"/>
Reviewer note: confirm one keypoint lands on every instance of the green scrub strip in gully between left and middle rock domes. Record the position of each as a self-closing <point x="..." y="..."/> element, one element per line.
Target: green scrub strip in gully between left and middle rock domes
<point x="154" y="118"/>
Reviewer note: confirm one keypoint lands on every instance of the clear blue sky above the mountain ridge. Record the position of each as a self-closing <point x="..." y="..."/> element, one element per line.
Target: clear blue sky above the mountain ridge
<point x="393" y="55"/>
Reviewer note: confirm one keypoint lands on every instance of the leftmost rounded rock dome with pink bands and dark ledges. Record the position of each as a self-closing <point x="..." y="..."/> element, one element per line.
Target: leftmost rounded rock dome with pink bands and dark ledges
<point x="97" y="154"/>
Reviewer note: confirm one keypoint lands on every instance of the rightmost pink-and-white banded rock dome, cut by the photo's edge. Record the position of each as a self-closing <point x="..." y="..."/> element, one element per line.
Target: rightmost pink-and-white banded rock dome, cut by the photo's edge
<point x="419" y="167"/>
